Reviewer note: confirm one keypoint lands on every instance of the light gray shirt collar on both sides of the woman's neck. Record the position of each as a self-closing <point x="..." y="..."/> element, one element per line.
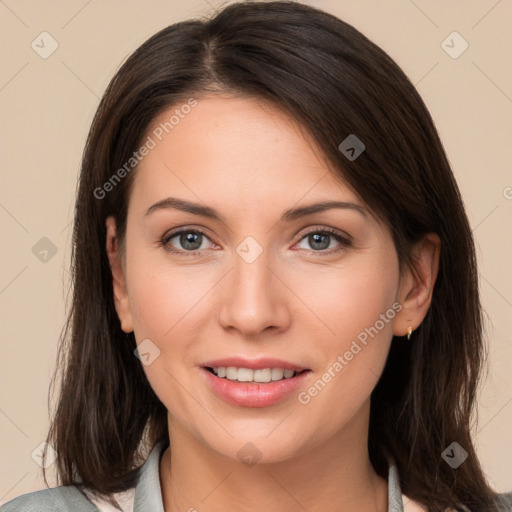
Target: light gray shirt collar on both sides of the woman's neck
<point x="148" y="494"/>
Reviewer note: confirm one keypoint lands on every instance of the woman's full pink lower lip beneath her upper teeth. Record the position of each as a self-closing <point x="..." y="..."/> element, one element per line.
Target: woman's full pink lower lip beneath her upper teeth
<point x="254" y="394"/>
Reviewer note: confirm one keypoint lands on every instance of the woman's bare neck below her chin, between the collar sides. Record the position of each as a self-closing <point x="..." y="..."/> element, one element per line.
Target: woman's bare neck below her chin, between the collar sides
<point x="335" y="475"/>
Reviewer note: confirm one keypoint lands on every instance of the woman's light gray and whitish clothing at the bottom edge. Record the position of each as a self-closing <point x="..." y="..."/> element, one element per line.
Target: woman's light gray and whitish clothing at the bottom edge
<point x="147" y="495"/>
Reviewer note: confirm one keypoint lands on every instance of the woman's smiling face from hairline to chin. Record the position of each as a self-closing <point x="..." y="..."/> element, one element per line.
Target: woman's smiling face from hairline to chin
<point x="253" y="282"/>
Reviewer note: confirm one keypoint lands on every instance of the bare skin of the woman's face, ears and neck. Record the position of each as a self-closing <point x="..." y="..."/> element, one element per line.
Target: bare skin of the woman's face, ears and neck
<point x="251" y="162"/>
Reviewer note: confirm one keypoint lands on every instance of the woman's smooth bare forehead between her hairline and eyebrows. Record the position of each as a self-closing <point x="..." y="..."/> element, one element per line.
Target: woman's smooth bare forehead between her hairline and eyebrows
<point x="236" y="150"/>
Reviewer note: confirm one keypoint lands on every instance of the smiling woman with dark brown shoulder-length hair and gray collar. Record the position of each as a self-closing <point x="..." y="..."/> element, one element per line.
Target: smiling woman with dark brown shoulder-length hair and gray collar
<point x="275" y="284"/>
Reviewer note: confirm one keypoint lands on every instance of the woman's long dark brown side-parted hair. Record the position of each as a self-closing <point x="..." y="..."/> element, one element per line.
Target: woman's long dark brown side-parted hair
<point x="335" y="82"/>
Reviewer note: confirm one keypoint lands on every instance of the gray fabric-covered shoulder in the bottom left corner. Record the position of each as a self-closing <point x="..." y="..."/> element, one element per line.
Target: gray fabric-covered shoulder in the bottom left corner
<point x="57" y="499"/>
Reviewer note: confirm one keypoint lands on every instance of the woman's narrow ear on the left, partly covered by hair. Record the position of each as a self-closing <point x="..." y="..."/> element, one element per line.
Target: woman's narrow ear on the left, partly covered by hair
<point x="121" y="300"/>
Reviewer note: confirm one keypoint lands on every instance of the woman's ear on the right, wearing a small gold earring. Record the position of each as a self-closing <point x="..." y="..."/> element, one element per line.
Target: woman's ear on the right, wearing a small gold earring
<point x="417" y="284"/>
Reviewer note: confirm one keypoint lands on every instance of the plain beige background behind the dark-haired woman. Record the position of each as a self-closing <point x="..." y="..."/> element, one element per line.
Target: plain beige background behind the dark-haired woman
<point x="47" y="106"/>
